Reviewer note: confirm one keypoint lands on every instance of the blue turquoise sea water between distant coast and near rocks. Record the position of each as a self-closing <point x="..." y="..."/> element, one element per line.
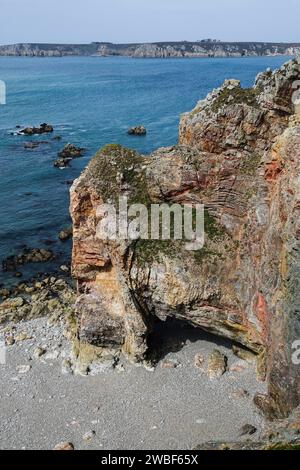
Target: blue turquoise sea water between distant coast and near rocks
<point x="90" y="102"/>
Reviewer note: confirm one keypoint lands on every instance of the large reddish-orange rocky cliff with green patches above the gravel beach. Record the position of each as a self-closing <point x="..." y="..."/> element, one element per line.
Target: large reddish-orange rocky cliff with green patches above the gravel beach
<point x="239" y="155"/>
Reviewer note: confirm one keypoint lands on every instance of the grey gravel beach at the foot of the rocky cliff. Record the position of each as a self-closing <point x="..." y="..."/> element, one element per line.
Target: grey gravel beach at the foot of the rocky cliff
<point x="174" y="406"/>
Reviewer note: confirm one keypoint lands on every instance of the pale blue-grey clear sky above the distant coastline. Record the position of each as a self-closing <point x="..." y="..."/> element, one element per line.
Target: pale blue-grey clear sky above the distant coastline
<point x="123" y="21"/>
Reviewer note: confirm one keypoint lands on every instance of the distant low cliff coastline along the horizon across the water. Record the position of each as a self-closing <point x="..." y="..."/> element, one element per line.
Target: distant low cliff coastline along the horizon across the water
<point x="159" y="49"/>
